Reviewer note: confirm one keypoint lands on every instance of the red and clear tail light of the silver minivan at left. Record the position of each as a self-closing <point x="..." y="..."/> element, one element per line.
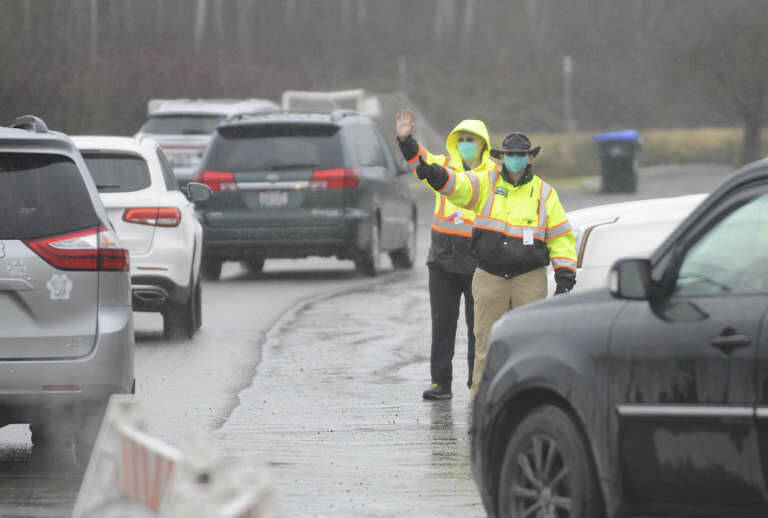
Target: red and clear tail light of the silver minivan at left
<point x="95" y="249"/>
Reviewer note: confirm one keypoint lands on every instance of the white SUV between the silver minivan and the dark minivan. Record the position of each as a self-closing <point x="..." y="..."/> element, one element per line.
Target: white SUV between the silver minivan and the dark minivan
<point x="156" y="222"/>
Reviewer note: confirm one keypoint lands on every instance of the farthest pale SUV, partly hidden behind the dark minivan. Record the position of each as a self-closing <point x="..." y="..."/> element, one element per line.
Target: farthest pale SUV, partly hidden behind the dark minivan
<point x="183" y="127"/>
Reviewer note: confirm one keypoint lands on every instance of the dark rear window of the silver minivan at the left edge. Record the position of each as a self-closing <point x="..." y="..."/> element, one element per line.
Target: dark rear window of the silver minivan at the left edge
<point x="42" y="195"/>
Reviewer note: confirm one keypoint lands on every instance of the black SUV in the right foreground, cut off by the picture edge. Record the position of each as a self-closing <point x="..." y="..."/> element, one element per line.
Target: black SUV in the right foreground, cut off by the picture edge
<point x="646" y="398"/>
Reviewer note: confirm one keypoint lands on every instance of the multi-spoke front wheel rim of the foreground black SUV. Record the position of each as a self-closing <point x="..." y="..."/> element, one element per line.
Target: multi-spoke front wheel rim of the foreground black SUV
<point x="541" y="482"/>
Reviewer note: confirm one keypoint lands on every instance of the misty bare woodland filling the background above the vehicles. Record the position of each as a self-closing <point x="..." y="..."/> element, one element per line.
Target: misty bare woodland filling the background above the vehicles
<point x="90" y="66"/>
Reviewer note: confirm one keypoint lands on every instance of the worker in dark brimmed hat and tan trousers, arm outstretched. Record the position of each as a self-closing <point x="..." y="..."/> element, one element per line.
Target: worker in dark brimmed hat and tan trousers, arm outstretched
<point x="520" y="227"/>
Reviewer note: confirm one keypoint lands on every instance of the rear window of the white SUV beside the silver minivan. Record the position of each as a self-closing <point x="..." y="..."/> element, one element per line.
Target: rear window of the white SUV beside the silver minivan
<point x="113" y="172"/>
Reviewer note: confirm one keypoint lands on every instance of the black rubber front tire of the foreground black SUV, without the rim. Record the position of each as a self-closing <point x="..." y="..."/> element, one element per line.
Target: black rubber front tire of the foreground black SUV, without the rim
<point x="556" y="424"/>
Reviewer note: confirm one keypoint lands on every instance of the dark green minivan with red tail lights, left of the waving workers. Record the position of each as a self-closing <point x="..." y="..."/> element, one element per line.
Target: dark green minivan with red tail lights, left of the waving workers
<point x="290" y="185"/>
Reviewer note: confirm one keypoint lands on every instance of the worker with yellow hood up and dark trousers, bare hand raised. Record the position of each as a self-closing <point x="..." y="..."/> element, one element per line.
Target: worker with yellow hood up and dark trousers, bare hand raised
<point x="450" y="262"/>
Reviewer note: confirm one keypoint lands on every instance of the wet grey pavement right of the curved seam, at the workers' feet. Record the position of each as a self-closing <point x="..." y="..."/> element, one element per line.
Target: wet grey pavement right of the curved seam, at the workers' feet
<point x="336" y="411"/>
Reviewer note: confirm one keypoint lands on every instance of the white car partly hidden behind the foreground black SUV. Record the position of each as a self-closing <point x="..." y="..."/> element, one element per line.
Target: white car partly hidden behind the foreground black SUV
<point x="605" y="233"/>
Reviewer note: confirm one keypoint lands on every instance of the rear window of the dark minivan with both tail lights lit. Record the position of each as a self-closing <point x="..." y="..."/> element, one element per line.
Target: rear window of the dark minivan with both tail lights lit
<point x="274" y="147"/>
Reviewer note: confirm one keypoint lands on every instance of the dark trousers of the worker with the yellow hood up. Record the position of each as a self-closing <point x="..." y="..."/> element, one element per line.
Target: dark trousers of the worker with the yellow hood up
<point x="445" y="290"/>
